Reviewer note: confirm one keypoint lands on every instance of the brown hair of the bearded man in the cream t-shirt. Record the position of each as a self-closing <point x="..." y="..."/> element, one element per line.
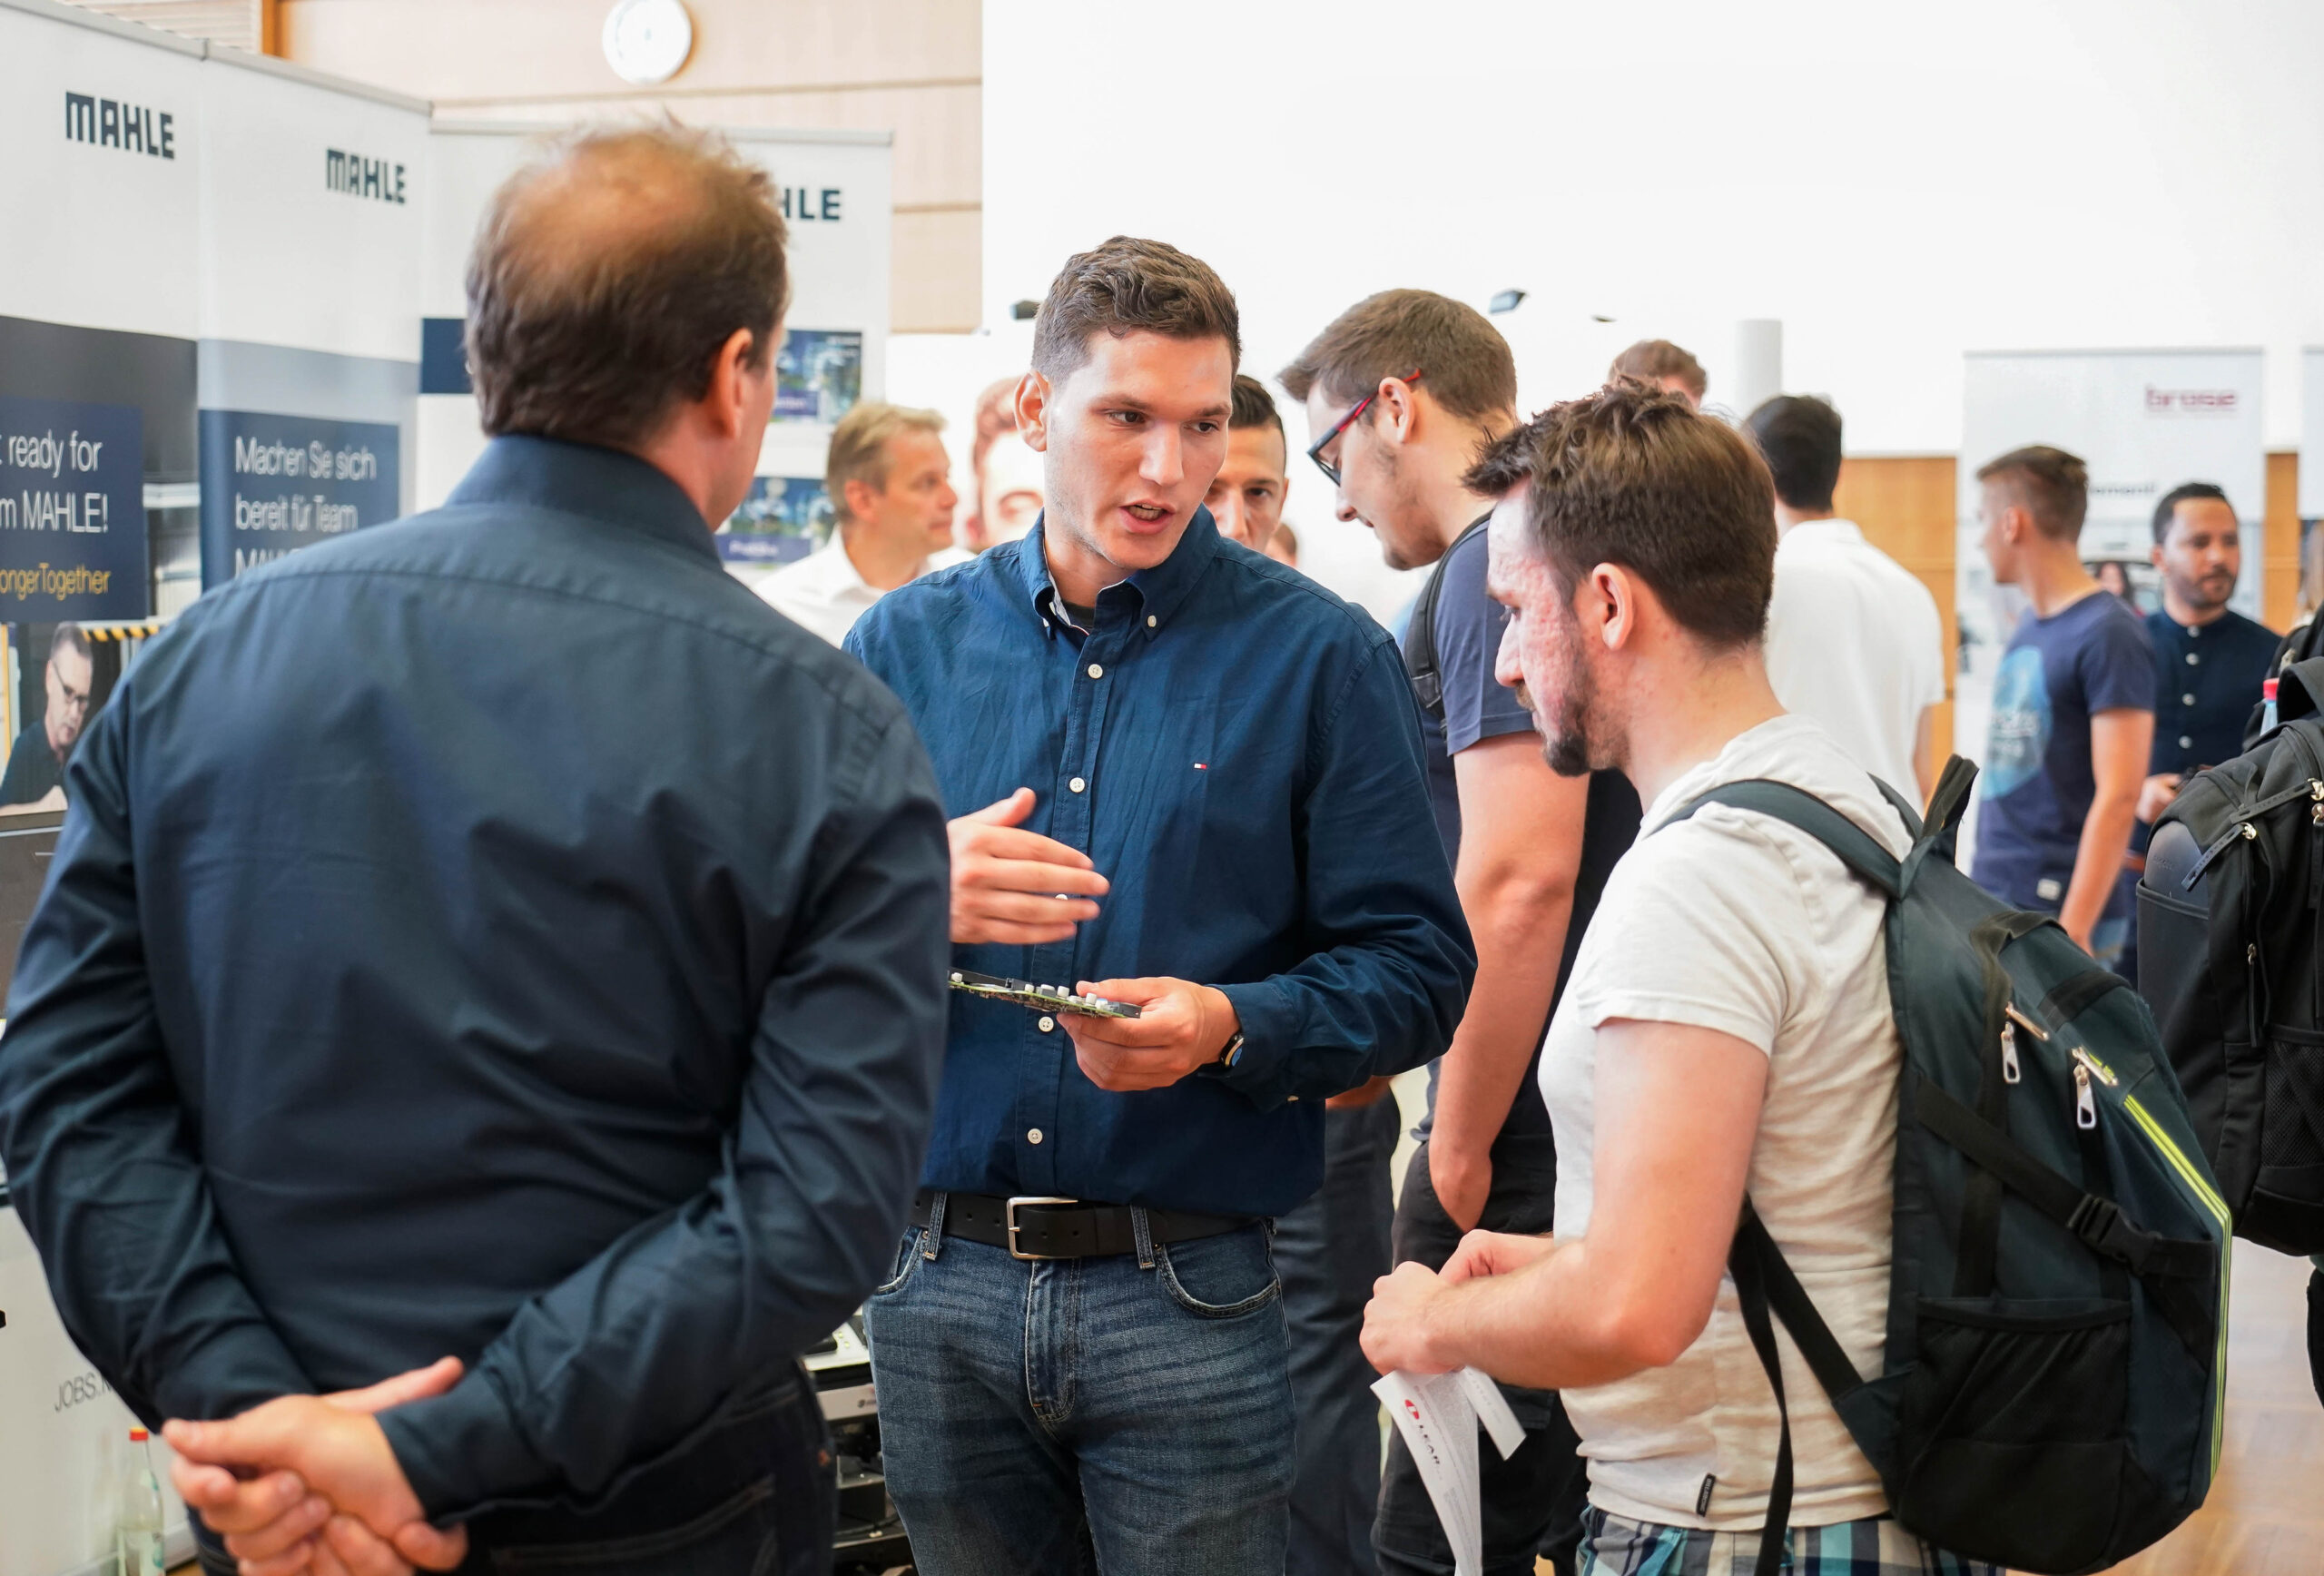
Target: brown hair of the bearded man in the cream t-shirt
<point x="1637" y="478"/>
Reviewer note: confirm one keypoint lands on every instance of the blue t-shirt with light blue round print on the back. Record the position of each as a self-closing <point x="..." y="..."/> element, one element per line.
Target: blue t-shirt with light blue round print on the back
<point x="2039" y="785"/>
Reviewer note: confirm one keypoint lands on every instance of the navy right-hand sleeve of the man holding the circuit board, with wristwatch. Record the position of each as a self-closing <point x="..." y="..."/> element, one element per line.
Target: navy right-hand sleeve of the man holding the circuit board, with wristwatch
<point x="1391" y="959"/>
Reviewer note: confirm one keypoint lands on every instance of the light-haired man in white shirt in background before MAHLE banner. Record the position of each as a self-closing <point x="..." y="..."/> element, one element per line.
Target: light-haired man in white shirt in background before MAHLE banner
<point x="894" y="494"/>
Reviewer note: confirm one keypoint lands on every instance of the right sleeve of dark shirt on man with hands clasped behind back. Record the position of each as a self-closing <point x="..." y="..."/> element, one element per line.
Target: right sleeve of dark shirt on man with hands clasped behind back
<point x="610" y="1373"/>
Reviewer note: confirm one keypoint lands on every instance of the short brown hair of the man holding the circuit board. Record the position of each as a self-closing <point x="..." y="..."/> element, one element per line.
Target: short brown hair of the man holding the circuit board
<point x="1131" y="287"/>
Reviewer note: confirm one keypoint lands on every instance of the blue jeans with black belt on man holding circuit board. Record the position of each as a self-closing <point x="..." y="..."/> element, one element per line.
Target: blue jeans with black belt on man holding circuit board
<point x="1059" y="1417"/>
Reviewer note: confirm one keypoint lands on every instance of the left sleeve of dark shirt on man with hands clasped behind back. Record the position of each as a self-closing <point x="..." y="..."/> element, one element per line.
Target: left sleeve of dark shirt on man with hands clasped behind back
<point x="99" y="1161"/>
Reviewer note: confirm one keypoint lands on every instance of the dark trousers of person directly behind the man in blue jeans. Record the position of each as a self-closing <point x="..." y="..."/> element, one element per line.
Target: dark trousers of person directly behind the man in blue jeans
<point x="1330" y="1252"/>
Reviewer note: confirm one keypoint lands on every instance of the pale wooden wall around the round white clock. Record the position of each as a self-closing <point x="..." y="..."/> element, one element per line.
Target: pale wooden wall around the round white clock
<point x="905" y="66"/>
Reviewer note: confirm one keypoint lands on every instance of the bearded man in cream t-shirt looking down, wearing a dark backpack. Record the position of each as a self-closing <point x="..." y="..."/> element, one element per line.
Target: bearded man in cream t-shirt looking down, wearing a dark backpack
<point x="1726" y="1031"/>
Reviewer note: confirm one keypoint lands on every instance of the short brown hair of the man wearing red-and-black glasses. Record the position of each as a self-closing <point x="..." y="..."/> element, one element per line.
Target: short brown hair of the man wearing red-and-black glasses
<point x="1396" y="334"/>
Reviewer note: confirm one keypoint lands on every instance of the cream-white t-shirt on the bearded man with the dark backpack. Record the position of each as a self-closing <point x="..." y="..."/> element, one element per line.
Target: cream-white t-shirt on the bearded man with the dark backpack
<point x="1740" y="924"/>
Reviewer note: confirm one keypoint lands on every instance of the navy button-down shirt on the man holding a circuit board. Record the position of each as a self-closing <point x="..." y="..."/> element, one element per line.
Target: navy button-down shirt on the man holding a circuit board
<point x="1240" y="757"/>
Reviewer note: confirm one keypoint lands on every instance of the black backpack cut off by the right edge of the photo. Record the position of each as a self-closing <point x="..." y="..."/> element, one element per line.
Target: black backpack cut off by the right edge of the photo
<point x="2230" y="961"/>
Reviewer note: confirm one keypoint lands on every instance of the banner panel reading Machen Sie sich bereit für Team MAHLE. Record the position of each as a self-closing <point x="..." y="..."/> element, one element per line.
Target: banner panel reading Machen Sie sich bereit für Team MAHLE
<point x="313" y="201"/>
